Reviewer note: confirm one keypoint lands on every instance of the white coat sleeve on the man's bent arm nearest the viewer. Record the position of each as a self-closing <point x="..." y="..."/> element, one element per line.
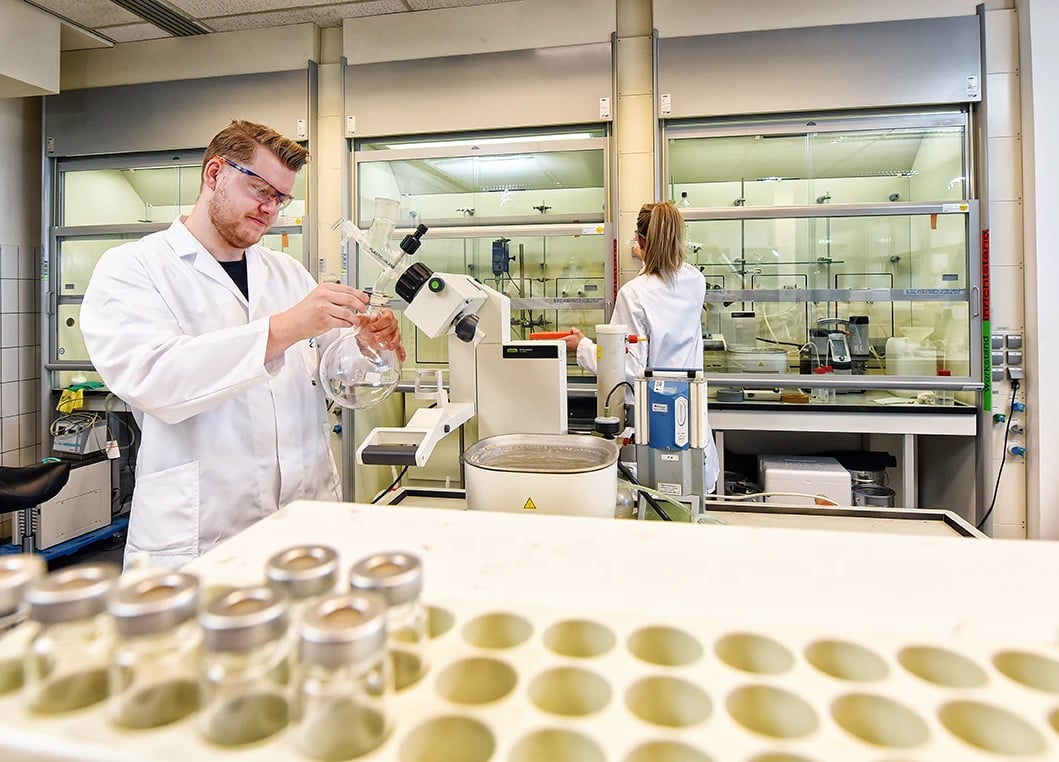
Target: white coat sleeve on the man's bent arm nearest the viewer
<point x="145" y="356"/>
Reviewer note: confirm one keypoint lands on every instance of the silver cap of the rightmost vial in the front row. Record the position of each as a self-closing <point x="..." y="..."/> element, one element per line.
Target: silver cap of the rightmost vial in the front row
<point x="345" y="630"/>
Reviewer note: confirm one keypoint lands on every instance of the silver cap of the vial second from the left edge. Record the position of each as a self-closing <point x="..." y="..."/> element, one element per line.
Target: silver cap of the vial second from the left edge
<point x="71" y="594"/>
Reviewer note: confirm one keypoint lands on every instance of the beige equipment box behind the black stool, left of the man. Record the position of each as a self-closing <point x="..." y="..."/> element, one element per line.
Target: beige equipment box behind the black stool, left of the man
<point x="82" y="506"/>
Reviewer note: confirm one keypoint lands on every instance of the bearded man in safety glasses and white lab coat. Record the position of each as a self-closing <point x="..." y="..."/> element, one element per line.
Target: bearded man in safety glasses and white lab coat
<point x="214" y="343"/>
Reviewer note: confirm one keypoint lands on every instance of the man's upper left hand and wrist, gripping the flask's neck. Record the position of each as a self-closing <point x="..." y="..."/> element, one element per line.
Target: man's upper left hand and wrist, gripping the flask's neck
<point x="328" y="306"/>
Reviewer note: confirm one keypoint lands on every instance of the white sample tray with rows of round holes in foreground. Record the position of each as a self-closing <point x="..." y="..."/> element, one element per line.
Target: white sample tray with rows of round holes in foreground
<point x="560" y="640"/>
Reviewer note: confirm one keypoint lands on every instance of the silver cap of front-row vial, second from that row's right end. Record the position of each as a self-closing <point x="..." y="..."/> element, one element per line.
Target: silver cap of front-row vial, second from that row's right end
<point x="244" y="619"/>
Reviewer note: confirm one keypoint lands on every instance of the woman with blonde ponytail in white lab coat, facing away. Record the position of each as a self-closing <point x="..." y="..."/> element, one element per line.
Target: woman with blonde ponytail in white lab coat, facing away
<point x="663" y="304"/>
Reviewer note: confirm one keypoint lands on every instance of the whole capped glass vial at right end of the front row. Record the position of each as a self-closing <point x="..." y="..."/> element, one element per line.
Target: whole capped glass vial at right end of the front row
<point x="345" y="680"/>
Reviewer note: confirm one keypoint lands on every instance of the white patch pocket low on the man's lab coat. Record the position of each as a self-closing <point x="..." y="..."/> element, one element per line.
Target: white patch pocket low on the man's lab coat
<point x="166" y="512"/>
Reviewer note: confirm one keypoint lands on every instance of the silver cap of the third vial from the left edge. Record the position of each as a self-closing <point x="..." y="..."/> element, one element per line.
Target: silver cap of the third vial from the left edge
<point x="155" y="604"/>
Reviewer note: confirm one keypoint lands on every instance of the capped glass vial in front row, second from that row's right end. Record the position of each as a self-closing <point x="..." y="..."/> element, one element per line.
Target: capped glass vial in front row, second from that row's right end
<point x="245" y="674"/>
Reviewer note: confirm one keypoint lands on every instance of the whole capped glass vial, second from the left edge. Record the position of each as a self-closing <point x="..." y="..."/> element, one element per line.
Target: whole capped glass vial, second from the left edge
<point x="66" y="662"/>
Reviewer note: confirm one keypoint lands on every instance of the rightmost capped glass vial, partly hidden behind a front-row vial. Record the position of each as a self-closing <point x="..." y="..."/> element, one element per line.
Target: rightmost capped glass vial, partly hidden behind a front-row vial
<point x="399" y="578"/>
